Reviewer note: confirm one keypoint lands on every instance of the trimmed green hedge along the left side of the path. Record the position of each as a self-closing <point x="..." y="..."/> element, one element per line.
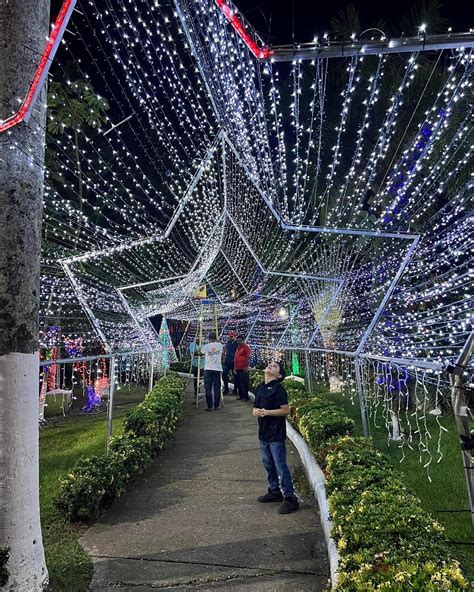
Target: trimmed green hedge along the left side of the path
<point x="96" y="481"/>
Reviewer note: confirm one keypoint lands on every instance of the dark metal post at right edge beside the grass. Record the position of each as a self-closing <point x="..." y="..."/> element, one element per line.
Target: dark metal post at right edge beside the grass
<point x="461" y="411"/>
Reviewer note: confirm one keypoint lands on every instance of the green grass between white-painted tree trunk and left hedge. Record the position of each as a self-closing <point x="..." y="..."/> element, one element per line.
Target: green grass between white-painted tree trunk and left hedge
<point x="61" y="445"/>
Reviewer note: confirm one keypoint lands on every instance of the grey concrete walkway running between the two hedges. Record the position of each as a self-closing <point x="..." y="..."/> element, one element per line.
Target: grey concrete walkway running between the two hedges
<point x="192" y="522"/>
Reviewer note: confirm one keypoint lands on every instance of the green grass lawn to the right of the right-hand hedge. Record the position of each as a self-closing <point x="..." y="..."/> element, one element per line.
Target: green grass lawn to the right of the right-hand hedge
<point x="447" y="490"/>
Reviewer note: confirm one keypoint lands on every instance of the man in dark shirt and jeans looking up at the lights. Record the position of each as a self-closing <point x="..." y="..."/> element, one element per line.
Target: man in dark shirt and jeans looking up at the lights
<point x="271" y="407"/>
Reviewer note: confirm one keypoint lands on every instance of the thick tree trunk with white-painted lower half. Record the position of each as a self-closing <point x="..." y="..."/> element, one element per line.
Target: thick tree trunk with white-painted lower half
<point x="24" y="27"/>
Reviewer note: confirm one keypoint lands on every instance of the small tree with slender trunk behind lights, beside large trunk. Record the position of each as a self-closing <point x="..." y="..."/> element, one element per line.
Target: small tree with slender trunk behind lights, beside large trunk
<point x="74" y="106"/>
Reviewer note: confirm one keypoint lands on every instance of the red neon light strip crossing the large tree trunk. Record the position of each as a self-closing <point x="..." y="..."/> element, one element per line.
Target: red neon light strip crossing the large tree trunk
<point x="42" y="68"/>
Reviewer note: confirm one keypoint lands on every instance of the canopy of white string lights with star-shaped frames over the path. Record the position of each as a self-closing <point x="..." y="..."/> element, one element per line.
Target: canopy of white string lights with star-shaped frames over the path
<point x="337" y="190"/>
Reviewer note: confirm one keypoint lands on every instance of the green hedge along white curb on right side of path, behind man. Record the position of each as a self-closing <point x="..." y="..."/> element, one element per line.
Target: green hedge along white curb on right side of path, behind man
<point x="386" y="540"/>
